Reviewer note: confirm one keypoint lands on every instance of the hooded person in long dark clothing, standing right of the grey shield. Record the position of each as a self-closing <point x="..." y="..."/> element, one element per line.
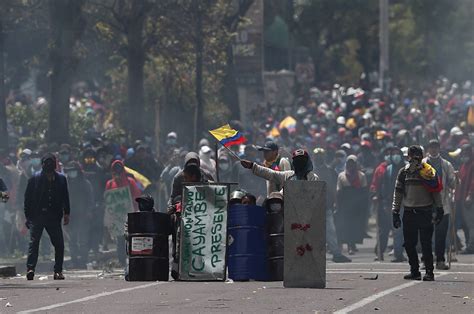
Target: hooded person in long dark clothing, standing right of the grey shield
<point x="352" y="204"/>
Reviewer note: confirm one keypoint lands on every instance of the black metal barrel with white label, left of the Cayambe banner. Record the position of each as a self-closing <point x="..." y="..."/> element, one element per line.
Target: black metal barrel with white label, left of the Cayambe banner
<point x="148" y="247"/>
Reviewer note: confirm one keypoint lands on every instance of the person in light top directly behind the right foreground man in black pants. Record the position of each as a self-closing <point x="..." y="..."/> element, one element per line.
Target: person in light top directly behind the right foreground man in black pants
<point x="445" y="171"/>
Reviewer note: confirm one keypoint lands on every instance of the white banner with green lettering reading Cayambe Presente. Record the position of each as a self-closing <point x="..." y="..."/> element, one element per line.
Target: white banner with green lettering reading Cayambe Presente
<point x="202" y="253"/>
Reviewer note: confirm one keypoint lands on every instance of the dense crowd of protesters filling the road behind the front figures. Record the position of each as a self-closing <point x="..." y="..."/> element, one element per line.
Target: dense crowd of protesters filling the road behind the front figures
<point x="355" y="139"/>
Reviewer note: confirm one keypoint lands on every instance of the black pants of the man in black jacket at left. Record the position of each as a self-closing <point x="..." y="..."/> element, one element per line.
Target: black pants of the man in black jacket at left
<point x="55" y="232"/>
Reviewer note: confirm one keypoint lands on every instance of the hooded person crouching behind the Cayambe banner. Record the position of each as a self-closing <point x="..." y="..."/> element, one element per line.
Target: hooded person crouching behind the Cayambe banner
<point x="192" y="172"/>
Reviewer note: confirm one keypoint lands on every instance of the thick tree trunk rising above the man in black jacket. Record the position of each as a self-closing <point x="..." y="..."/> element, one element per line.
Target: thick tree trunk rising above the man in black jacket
<point x="67" y="26"/>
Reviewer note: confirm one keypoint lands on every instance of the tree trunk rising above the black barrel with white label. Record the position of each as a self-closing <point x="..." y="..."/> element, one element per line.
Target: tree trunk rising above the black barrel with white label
<point x="134" y="113"/>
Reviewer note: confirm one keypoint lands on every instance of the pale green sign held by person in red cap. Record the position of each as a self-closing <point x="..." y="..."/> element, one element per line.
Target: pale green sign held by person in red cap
<point x="118" y="202"/>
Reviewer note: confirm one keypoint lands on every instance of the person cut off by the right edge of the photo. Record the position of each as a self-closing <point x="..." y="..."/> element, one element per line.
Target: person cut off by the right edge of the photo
<point x="465" y="195"/>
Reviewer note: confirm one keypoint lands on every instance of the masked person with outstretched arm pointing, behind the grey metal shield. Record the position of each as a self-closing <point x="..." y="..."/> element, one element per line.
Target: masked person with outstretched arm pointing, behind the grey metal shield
<point x="301" y="164"/>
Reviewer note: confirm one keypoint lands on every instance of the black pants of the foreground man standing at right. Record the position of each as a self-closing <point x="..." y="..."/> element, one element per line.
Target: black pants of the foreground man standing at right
<point x="418" y="222"/>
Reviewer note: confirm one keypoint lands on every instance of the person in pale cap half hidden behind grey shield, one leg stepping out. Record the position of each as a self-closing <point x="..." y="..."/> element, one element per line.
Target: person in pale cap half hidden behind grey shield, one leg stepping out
<point x="329" y="176"/>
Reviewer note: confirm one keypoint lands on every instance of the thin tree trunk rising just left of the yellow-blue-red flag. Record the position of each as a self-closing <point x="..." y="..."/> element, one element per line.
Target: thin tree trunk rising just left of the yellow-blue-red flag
<point x="199" y="46"/>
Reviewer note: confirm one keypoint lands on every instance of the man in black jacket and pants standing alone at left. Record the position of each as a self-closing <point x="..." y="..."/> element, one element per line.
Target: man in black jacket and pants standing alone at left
<point x="46" y="203"/>
